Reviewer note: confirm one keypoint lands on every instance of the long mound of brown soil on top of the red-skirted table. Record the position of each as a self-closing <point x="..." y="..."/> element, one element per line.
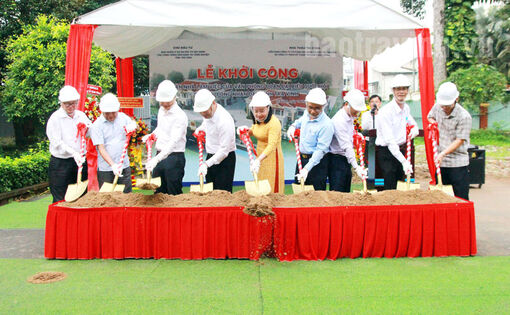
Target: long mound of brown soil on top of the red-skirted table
<point x="260" y="206"/>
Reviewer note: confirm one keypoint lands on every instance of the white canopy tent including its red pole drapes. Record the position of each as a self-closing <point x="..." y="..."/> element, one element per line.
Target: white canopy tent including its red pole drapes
<point x="358" y="29"/>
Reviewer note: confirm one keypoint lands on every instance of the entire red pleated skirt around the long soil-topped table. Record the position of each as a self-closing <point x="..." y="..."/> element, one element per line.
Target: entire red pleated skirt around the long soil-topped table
<point x="295" y="233"/>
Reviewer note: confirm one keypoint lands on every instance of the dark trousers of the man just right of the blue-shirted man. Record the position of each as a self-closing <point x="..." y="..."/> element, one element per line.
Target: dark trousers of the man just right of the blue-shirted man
<point x="339" y="173"/>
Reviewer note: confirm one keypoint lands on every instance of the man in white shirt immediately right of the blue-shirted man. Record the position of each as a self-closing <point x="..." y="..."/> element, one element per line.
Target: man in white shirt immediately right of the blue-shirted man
<point x="341" y="155"/>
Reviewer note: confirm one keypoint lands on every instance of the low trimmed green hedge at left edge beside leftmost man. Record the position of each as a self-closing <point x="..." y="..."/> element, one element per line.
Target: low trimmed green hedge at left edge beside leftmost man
<point x="30" y="168"/>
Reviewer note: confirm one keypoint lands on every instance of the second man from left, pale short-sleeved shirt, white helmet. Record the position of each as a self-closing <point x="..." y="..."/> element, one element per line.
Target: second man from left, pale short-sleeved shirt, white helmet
<point x="108" y="134"/>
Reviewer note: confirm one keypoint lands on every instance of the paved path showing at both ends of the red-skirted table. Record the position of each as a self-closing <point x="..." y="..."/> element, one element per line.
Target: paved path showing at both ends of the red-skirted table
<point x="492" y="212"/>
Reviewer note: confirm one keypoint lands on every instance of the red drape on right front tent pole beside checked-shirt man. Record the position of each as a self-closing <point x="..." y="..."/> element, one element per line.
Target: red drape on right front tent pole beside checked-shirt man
<point x="426" y="77"/>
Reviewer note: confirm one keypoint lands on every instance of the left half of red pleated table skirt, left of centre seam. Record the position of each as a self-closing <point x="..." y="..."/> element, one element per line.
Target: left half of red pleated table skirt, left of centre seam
<point x="184" y="233"/>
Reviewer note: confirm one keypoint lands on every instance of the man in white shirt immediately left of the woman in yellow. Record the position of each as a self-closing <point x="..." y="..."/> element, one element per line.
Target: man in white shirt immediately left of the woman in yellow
<point x="220" y="142"/>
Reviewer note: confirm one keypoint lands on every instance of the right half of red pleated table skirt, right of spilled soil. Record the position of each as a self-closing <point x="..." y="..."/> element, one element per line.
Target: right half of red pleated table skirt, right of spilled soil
<point x="375" y="231"/>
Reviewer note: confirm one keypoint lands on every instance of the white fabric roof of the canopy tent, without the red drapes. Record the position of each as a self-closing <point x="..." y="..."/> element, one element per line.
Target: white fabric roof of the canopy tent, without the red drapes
<point x="359" y="28"/>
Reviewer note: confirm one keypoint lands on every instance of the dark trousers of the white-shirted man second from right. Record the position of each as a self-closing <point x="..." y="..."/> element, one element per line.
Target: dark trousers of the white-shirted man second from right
<point x="390" y="166"/>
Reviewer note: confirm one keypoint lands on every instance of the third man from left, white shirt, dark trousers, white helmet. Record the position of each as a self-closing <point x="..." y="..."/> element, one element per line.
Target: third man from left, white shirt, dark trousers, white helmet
<point x="170" y="141"/>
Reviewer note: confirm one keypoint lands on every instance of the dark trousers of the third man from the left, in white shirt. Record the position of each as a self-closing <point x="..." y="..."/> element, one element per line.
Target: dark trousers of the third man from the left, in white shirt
<point x="171" y="171"/>
